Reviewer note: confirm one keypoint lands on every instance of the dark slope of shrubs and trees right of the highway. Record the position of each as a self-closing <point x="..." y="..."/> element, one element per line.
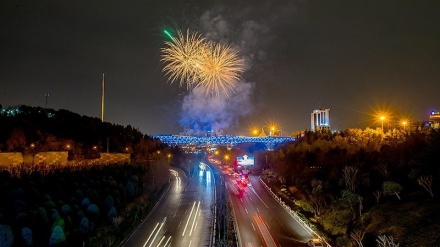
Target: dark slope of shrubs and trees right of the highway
<point x="359" y="185"/>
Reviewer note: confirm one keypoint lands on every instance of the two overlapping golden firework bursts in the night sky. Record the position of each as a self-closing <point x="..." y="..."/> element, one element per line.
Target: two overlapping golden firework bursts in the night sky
<point x="193" y="61"/>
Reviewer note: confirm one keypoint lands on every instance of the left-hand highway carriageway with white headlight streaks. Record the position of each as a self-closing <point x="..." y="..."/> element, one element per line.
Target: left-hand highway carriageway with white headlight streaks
<point x="183" y="217"/>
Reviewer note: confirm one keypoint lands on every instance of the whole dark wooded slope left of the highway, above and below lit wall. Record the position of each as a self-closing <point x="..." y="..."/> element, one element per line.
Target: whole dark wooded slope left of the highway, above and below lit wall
<point x="77" y="204"/>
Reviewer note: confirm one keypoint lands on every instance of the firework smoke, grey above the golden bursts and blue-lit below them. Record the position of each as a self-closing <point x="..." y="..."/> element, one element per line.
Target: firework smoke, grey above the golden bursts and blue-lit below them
<point x="199" y="113"/>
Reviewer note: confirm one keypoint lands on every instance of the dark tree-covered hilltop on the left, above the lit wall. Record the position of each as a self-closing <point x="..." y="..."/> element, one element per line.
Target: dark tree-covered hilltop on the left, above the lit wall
<point x="35" y="129"/>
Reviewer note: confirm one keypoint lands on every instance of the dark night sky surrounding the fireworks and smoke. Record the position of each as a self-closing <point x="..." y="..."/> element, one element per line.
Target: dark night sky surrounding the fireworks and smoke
<point x="354" y="57"/>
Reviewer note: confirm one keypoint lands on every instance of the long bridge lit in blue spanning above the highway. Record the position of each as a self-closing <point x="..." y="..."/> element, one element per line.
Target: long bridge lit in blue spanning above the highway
<point x="227" y="140"/>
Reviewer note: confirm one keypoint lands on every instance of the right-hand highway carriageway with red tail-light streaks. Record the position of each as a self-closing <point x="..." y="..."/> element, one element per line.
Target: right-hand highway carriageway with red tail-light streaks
<point x="261" y="220"/>
